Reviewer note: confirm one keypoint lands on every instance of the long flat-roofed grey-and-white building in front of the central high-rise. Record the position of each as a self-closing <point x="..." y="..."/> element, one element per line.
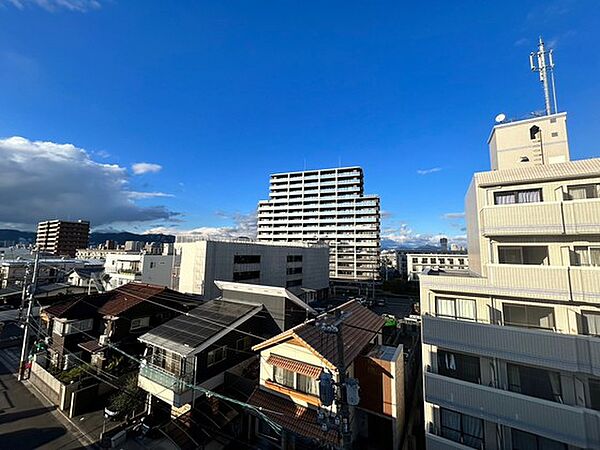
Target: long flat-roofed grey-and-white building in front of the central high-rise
<point x="302" y="268"/>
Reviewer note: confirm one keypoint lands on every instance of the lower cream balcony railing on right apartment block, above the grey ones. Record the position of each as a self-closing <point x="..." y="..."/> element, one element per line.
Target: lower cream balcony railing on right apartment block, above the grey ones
<point x="562" y="283"/>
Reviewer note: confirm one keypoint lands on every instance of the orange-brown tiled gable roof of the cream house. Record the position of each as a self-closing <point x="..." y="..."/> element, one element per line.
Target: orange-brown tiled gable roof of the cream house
<point x="357" y="330"/>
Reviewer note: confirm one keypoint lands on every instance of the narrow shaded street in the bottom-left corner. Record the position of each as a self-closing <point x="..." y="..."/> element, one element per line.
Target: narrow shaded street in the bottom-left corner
<point x="25" y="422"/>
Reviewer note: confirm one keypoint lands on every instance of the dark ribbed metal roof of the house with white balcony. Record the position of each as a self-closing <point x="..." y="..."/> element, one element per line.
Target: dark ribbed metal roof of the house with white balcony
<point x="192" y="332"/>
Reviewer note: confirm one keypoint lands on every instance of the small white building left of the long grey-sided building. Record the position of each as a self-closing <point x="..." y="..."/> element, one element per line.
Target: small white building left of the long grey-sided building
<point x="122" y="268"/>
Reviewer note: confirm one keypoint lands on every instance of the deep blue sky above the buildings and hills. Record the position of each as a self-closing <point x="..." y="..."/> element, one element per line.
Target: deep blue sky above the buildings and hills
<point x="219" y="95"/>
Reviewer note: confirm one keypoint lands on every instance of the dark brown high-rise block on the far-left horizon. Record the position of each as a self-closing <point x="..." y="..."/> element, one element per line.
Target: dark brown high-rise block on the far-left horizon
<point x="60" y="237"/>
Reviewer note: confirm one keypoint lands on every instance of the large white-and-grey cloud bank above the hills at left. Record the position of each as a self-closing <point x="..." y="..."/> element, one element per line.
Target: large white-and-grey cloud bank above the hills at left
<point x="43" y="180"/>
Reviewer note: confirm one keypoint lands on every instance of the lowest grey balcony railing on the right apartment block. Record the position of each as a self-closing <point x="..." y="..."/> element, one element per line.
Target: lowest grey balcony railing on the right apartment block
<point x="569" y="424"/>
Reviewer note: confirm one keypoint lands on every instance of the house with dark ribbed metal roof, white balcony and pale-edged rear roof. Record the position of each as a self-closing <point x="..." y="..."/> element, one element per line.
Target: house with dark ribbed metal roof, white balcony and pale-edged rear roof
<point x="192" y="352"/>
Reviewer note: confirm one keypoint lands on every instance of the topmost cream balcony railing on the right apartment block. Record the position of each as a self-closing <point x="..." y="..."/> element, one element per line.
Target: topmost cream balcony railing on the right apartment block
<point x="544" y="218"/>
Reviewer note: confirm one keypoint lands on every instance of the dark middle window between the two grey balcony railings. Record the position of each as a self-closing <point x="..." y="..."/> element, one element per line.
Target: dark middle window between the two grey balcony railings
<point x="535" y="382"/>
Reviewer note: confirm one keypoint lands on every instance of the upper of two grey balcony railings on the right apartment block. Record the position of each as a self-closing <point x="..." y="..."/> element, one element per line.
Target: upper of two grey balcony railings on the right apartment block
<point x="572" y="353"/>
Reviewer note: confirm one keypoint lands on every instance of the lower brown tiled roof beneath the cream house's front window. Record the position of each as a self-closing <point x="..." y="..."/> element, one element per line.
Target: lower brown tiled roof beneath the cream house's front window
<point x="292" y="417"/>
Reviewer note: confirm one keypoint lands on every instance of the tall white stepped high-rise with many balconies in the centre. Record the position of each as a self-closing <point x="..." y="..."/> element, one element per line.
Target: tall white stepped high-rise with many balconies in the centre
<point x="327" y="205"/>
